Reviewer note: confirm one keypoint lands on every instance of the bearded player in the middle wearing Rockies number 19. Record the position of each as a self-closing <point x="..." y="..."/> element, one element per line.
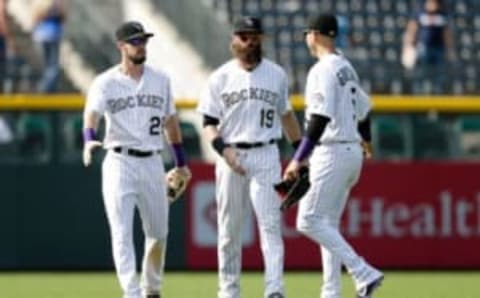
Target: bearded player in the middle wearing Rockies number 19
<point x="245" y="106"/>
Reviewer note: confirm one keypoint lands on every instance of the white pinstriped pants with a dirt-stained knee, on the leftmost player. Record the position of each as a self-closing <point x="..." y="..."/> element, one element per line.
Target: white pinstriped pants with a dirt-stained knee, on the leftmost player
<point x="130" y="182"/>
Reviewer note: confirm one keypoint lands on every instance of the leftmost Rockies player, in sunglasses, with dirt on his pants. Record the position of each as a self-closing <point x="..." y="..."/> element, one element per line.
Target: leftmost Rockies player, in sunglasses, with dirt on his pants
<point x="137" y="105"/>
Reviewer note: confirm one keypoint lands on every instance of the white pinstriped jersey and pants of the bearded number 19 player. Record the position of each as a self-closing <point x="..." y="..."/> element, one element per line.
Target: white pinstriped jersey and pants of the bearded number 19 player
<point x="249" y="106"/>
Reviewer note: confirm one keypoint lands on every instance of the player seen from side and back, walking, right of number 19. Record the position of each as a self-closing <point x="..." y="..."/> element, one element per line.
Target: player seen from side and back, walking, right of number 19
<point x="337" y="126"/>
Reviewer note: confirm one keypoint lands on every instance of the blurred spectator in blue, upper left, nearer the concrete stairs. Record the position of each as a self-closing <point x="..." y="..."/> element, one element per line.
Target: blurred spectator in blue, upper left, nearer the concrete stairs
<point x="48" y="19"/>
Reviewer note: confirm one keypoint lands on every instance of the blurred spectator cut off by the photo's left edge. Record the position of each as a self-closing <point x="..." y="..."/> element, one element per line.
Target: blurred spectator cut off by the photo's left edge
<point x="7" y="42"/>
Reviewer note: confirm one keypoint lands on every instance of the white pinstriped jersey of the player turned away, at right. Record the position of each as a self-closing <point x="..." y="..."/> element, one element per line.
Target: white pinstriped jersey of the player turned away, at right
<point x="333" y="90"/>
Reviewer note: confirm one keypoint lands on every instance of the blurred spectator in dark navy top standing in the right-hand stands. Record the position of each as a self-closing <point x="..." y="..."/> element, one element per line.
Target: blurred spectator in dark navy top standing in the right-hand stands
<point x="427" y="44"/>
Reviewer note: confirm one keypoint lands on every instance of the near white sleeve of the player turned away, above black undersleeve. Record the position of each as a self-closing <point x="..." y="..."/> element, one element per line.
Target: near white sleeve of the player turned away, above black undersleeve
<point x="322" y="93"/>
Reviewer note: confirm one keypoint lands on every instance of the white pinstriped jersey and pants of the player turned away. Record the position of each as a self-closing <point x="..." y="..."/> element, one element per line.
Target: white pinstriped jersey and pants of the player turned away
<point x="333" y="90"/>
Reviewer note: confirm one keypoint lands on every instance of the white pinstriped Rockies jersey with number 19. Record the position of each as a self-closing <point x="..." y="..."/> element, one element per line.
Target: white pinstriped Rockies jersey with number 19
<point x="248" y="104"/>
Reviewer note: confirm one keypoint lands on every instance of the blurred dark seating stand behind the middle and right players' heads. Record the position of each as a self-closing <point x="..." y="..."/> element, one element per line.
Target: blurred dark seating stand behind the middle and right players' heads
<point x="444" y="35"/>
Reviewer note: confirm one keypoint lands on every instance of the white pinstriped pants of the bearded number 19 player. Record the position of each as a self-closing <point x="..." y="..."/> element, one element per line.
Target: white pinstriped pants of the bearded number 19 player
<point x="234" y="194"/>
